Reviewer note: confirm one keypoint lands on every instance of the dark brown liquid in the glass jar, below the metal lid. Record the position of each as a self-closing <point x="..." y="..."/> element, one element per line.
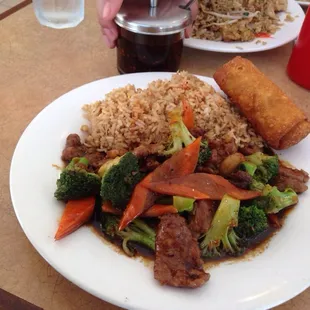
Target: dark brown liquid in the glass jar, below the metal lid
<point x="148" y="53"/>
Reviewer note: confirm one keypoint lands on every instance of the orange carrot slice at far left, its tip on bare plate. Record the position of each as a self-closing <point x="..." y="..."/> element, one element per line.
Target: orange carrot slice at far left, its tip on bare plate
<point x="76" y="213"/>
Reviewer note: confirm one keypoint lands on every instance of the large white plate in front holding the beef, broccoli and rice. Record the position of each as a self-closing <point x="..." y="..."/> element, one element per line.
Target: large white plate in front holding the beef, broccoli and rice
<point x="271" y="278"/>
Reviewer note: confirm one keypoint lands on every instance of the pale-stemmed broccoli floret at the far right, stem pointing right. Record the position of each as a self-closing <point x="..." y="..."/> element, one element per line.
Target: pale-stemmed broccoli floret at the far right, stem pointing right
<point x="277" y="200"/>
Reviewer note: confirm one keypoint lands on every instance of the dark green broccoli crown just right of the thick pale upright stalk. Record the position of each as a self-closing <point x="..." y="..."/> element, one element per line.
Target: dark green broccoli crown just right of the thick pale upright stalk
<point x="251" y="222"/>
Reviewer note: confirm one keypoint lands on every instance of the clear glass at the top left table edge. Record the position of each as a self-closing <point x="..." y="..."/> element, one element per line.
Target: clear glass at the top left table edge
<point x="59" y="14"/>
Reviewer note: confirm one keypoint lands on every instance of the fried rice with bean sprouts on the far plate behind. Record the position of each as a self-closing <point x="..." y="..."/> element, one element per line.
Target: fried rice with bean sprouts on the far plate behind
<point x="237" y="20"/>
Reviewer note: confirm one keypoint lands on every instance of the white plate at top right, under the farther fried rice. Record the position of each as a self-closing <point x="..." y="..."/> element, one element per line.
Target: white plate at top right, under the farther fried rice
<point x="288" y="32"/>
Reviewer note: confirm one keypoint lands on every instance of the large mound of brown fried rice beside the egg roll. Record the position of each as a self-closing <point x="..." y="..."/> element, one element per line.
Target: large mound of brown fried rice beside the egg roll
<point x="129" y="117"/>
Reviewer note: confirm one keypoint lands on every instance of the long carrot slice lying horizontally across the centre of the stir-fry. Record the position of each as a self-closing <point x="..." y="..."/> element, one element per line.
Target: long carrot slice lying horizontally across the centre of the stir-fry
<point x="201" y="186"/>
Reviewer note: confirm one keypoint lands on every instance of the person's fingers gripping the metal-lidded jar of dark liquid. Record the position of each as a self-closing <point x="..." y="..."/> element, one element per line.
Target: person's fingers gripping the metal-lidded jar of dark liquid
<point x="107" y="10"/>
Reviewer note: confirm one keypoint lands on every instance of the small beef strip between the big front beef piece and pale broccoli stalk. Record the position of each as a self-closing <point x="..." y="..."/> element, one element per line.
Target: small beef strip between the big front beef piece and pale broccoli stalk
<point x="201" y="217"/>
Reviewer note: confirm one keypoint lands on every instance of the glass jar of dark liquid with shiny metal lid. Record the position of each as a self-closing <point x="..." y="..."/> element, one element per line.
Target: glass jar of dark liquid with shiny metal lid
<point x="150" y="39"/>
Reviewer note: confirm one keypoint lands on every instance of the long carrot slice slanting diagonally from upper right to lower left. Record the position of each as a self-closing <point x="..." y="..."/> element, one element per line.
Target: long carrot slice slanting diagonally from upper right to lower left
<point x="182" y="163"/>
